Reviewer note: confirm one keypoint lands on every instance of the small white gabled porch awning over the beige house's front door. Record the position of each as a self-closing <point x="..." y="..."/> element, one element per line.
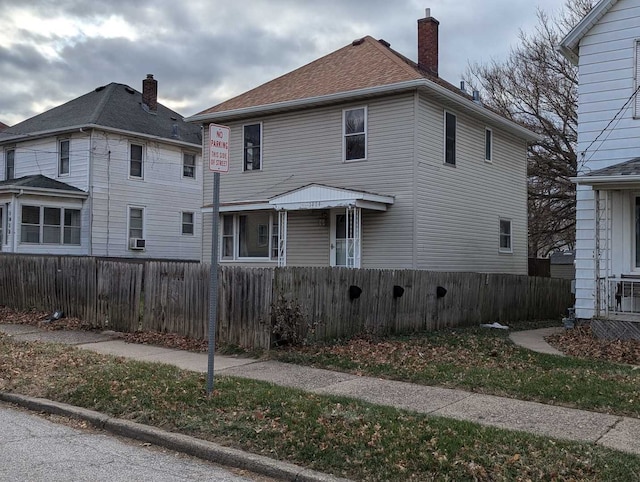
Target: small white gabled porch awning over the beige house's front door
<point x="319" y="196"/>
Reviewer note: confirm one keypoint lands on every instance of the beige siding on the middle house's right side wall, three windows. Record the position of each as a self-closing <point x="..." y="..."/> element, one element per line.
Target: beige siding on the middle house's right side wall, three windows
<point x="459" y="208"/>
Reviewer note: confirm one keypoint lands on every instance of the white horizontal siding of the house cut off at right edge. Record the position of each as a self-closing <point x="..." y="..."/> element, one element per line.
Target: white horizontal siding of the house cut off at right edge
<point x="606" y="72"/>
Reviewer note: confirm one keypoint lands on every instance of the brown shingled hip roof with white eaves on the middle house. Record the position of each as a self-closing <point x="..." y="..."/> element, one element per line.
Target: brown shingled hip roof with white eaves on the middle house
<point x="364" y="68"/>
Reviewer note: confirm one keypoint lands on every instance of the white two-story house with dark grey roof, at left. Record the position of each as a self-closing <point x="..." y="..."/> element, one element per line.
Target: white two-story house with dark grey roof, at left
<point x="112" y="173"/>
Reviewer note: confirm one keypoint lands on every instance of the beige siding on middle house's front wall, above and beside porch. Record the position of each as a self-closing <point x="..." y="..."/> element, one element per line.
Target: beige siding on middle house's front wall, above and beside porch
<point x="306" y="147"/>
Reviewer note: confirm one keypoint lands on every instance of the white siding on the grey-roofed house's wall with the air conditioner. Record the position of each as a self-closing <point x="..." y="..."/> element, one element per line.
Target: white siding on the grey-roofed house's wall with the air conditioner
<point x="163" y="193"/>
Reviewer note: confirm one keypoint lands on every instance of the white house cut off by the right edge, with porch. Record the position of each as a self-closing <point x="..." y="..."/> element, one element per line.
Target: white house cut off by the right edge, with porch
<point x="605" y="46"/>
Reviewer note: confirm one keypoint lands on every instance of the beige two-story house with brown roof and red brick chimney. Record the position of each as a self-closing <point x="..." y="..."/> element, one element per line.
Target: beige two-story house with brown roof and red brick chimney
<point x="364" y="158"/>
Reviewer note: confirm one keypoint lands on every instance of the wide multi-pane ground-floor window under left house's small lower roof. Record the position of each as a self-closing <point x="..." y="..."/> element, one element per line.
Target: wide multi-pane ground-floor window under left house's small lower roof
<point x="44" y="225"/>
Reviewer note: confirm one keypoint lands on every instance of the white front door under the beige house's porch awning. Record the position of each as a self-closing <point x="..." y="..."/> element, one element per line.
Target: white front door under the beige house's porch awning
<point x="345" y="237"/>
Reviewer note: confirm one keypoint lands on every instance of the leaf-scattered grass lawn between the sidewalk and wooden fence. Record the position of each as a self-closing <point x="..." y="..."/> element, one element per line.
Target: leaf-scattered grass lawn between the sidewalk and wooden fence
<point x="485" y="361"/>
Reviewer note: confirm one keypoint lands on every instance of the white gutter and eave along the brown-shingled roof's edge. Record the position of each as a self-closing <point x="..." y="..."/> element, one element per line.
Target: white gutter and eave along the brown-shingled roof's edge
<point x="369" y="92"/>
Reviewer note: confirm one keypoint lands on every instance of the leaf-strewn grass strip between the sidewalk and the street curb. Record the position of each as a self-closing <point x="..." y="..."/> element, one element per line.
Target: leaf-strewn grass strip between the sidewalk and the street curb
<point x="337" y="435"/>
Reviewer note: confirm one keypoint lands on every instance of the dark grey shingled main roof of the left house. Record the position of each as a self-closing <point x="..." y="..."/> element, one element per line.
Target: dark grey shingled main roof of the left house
<point x="115" y="106"/>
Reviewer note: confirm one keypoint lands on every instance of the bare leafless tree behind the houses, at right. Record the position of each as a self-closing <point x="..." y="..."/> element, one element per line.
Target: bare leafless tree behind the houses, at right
<point x="537" y="87"/>
